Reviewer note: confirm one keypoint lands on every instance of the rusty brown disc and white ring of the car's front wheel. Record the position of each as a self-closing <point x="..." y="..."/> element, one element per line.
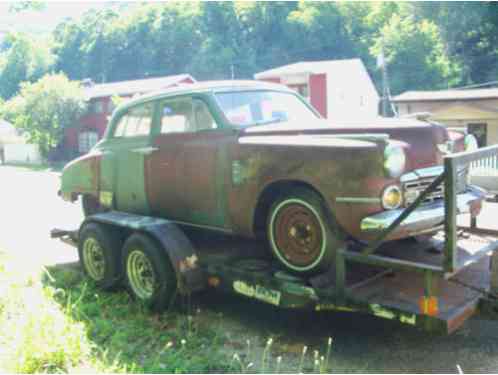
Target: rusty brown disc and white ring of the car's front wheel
<point x="298" y="234"/>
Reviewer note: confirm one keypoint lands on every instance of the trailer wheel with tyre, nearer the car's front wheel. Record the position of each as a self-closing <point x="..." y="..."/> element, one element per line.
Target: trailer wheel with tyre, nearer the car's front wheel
<point x="150" y="277"/>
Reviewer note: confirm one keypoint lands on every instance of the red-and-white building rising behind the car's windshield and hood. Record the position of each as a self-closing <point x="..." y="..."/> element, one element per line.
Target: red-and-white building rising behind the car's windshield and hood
<point x="338" y="89"/>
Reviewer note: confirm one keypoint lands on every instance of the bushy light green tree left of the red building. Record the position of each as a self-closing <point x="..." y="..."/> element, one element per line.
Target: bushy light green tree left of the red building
<point x="44" y="109"/>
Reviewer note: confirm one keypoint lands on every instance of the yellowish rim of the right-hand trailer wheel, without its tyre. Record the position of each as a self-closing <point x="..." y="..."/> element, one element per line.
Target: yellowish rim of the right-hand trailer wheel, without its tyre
<point x="141" y="274"/>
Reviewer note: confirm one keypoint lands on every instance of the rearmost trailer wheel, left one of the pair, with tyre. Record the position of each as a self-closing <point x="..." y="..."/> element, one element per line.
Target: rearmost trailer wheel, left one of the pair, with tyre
<point x="98" y="250"/>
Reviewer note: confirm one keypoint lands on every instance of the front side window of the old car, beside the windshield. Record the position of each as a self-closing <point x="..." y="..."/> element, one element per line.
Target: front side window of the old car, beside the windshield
<point x="185" y="115"/>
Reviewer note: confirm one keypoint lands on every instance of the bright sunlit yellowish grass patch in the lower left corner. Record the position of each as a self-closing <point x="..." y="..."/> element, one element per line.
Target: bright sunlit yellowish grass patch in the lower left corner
<point x="36" y="335"/>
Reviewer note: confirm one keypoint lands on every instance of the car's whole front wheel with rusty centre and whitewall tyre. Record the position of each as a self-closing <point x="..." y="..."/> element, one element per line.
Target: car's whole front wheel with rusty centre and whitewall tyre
<point x="300" y="233"/>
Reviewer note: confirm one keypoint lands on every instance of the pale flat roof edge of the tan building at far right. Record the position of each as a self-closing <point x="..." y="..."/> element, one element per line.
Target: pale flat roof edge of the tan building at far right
<point x="447" y="95"/>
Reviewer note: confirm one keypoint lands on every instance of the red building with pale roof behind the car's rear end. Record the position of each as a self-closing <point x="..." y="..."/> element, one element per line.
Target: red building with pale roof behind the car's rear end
<point x="92" y="125"/>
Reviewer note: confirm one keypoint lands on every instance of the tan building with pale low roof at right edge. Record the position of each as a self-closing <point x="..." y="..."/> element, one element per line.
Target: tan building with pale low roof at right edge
<point x="475" y="110"/>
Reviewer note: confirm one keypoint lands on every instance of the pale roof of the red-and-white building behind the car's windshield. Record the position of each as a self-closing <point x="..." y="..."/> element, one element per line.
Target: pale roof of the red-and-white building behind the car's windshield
<point x="313" y="67"/>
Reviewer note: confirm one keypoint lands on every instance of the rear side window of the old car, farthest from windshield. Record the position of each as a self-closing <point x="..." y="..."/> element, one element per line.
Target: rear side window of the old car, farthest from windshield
<point x="136" y="122"/>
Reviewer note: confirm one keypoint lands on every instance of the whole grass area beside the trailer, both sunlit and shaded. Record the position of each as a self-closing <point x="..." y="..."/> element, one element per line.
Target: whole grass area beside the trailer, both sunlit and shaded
<point x="56" y="320"/>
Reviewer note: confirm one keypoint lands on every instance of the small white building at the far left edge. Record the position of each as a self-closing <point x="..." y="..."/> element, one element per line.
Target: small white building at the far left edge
<point x="14" y="148"/>
